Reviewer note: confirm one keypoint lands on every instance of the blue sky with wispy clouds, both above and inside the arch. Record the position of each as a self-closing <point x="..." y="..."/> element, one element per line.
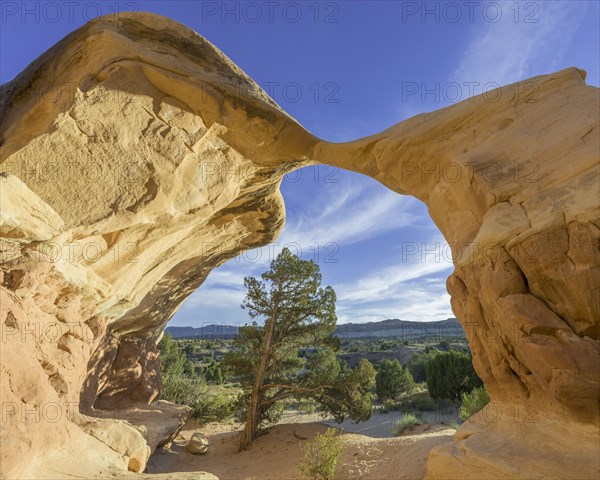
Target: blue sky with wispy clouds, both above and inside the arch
<point x="346" y="70"/>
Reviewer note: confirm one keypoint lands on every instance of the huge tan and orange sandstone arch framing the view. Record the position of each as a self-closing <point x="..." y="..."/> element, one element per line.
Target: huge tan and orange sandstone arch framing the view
<point x="137" y="157"/>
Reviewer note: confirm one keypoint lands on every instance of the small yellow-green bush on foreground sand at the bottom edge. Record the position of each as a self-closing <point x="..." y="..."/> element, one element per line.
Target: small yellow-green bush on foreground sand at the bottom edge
<point x="321" y="455"/>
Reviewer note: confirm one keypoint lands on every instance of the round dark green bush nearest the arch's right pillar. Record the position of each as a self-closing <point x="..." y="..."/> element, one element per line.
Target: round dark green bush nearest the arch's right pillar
<point x="450" y="374"/>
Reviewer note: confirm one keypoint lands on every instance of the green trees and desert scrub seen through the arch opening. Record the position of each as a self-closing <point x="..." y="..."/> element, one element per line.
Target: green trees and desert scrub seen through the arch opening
<point x="294" y="363"/>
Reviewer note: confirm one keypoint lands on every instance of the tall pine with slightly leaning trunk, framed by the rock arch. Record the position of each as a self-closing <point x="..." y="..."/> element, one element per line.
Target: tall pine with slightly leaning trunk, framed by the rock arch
<point x="297" y="313"/>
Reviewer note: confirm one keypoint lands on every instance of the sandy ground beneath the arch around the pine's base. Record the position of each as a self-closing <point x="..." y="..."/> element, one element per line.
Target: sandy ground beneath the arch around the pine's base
<point x="275" y="455"/>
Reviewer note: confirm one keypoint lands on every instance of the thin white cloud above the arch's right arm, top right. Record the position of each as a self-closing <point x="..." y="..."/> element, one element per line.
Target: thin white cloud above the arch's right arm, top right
<point x="519" y="40"/>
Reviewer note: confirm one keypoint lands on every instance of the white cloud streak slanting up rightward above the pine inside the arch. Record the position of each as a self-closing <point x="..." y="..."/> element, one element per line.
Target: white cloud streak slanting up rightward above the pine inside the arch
<point x="361" y="211"/>
